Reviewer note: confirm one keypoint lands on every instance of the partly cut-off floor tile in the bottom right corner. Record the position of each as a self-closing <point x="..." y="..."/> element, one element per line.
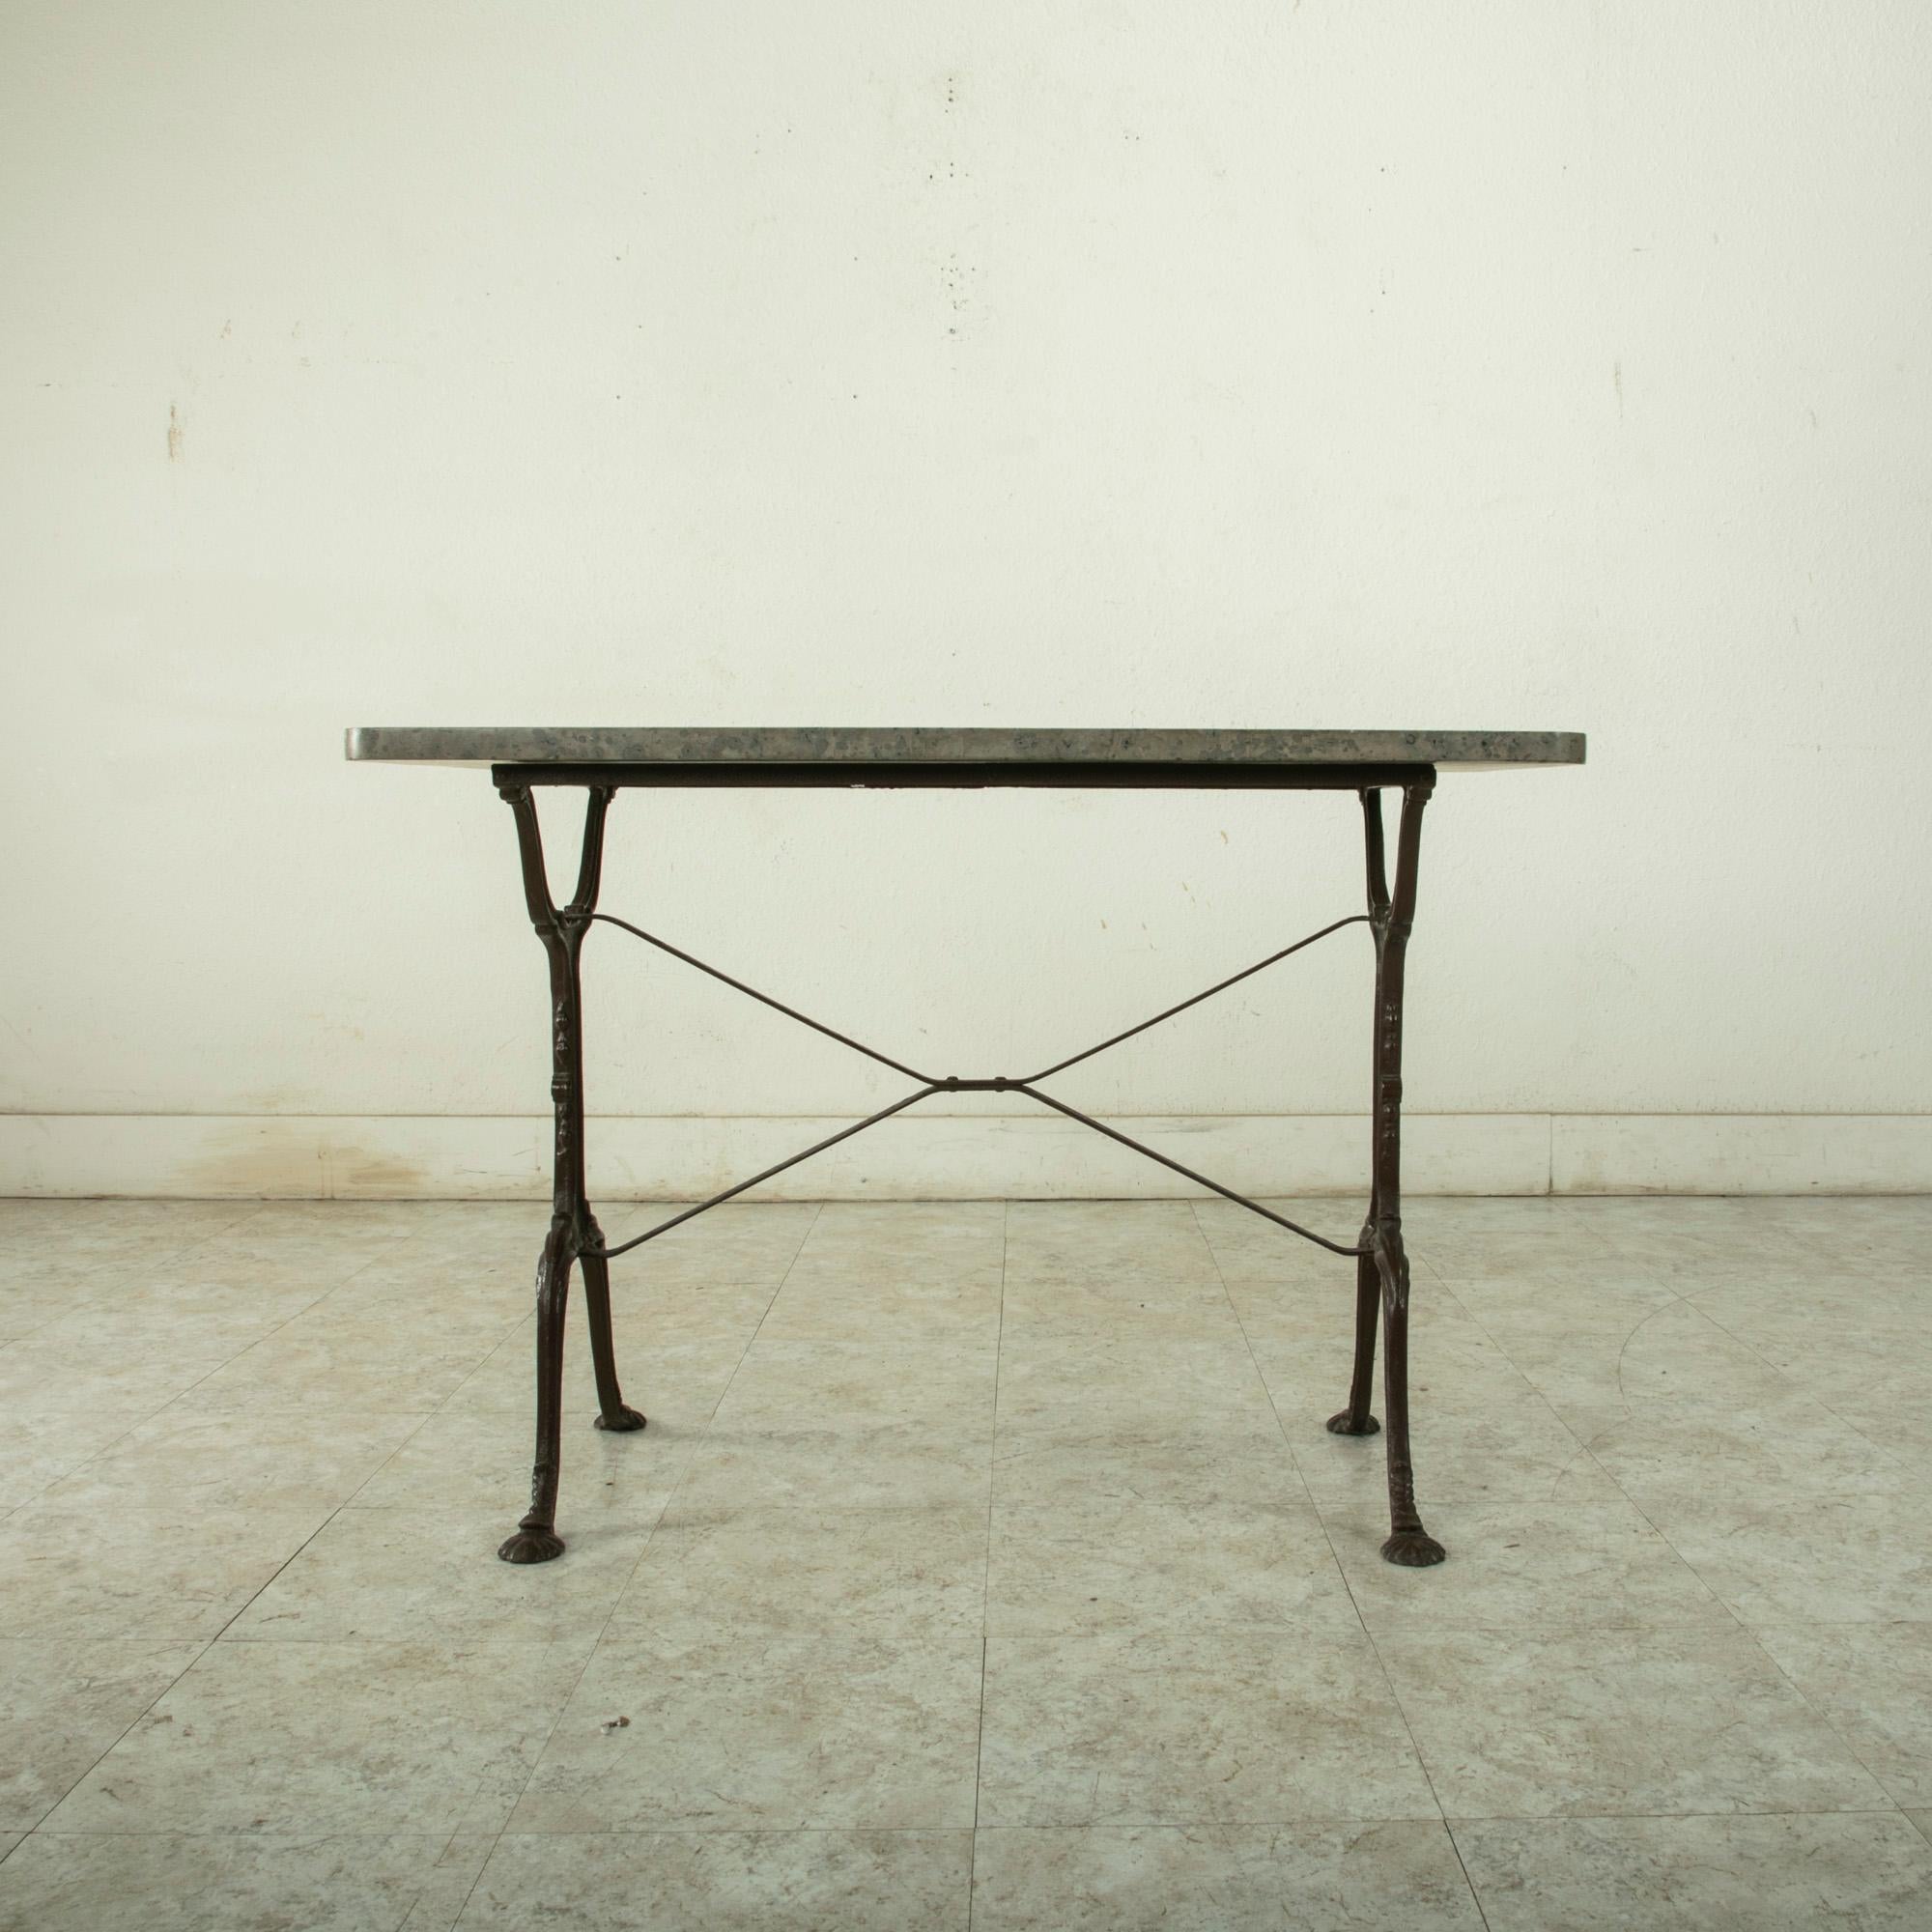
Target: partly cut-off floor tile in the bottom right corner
<point x="1701" y="1875"/>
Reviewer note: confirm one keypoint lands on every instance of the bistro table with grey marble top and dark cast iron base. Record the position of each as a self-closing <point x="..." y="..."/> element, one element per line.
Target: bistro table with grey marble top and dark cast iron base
<point x="606" y="760"/>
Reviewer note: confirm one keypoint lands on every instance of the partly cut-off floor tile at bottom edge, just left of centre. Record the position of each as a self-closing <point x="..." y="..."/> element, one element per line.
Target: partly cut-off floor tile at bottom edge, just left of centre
<point x="727" y="1883"/>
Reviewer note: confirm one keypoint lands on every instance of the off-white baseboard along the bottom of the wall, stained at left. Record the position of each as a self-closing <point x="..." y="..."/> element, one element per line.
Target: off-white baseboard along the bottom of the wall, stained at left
<point x="957" y="1156"/>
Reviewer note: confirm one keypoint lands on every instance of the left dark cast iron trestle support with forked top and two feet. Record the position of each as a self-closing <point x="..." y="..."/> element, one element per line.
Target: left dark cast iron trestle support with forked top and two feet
<point x="573" y="1228"/>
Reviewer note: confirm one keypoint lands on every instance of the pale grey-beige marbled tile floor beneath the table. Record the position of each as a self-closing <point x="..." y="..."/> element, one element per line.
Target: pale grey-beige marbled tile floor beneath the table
<point x="982" y="1566"/>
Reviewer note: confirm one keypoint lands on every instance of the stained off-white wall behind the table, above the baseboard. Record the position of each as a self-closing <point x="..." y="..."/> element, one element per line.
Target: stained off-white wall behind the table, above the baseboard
<point x="1492" y="364"/>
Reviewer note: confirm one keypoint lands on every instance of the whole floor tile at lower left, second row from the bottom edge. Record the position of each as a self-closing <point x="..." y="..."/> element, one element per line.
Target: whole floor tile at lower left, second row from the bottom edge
<point x="316" y="1740"/>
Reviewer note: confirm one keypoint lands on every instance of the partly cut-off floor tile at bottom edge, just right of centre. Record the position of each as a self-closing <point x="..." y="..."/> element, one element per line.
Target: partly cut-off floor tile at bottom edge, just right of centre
<point x="1224" y="1879"/>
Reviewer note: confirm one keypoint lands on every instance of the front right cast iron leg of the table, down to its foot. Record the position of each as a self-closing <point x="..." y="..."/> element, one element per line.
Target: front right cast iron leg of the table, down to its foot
<point x="1409" y="1543"/>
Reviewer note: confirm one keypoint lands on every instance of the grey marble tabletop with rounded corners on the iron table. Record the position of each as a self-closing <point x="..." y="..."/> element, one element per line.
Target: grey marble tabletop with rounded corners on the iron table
<point x="938" y="745"/>
